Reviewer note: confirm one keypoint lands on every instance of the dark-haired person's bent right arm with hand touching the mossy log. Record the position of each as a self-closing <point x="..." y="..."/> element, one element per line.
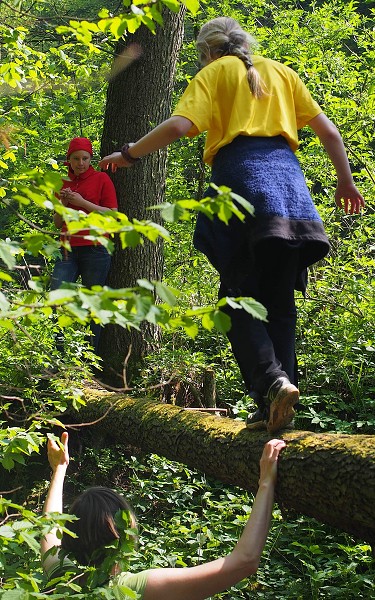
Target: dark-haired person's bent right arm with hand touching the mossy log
<point x="198" y="583"/>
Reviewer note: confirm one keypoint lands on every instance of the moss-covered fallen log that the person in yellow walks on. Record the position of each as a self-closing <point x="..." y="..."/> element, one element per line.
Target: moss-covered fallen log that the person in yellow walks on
<point x="330" y="477"/>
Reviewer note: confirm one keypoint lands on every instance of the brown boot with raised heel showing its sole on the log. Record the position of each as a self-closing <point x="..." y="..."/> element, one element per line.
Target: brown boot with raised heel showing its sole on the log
<point x="281" y="398"/>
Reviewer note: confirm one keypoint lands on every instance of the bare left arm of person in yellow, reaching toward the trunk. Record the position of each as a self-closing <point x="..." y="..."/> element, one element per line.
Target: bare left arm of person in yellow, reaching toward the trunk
<point x="163" y="135"/>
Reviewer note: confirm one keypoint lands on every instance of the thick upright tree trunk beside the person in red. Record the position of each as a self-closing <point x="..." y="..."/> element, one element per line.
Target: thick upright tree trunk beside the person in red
<point x="139" y="98"/>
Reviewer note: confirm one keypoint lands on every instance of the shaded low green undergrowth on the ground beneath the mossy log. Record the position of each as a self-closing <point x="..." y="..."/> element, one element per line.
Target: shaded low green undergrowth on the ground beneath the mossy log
<point x="186" y="519"/>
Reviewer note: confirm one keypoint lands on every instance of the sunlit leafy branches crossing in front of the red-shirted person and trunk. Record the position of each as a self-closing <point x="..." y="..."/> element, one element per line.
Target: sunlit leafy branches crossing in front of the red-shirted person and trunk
<point x="125" y="307"/>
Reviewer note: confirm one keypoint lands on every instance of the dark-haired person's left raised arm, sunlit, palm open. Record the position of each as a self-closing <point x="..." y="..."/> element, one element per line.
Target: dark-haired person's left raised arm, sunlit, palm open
<point x="58" y="459"/>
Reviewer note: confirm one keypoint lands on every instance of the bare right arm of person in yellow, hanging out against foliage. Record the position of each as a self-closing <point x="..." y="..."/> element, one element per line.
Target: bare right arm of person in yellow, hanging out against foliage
<point x="332" y="141"/>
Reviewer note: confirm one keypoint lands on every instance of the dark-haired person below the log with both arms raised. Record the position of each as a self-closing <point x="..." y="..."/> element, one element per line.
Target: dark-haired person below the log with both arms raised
<point x="97" y="526"/>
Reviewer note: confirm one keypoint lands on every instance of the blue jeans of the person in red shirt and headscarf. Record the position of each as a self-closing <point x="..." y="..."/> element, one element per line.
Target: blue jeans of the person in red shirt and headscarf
<point x="92" y="263"/>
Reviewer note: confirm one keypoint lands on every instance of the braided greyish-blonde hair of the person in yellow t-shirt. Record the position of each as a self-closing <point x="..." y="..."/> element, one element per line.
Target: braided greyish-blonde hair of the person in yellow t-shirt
<point x="224" y="36"/>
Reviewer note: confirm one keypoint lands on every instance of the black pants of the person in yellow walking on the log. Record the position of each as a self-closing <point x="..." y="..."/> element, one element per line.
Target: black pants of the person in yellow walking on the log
<point x="265" y="351"/>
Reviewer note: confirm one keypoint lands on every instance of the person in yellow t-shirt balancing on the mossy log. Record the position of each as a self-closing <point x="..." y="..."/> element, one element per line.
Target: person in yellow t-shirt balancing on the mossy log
<point x="252" y="108"/>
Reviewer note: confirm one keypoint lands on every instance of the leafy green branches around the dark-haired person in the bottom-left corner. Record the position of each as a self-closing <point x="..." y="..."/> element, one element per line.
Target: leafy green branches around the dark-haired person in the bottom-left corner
<point x="20" y="531"/>
